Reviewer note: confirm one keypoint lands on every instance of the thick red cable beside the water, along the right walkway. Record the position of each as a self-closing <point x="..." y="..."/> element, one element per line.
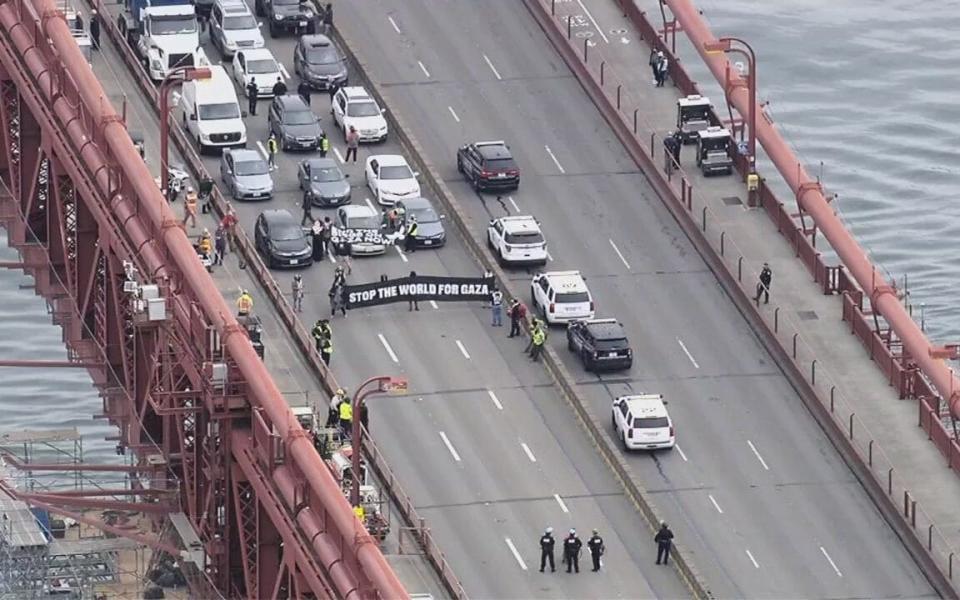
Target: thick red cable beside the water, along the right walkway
<point x="810" y="197"/>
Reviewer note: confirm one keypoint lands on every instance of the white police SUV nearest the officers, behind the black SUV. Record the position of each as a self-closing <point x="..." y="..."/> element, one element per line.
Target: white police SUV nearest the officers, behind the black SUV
<point x="641" y="422"/>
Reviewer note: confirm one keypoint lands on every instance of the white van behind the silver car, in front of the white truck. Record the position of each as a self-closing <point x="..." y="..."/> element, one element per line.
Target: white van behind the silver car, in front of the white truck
<point x="211" y="112"/>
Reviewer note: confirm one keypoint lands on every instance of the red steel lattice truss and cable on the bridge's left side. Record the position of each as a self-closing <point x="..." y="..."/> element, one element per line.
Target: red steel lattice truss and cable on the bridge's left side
<point x="81" y="206"/>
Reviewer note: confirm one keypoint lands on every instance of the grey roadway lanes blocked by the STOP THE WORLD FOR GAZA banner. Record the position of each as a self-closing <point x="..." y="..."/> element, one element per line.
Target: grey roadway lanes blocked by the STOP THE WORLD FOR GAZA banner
<point x="482" y="442"/>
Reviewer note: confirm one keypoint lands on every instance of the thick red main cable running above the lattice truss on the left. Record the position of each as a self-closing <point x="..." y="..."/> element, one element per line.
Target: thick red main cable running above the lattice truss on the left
<point x="164" y="249"/>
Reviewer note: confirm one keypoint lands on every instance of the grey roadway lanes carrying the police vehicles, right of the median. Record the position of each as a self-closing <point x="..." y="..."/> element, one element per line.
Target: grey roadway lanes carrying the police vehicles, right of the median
<point x="757" y="492"/>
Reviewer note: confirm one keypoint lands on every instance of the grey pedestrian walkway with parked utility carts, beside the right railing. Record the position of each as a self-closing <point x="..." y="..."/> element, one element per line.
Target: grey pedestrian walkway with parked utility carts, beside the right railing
<point x="884" y="426"/>
